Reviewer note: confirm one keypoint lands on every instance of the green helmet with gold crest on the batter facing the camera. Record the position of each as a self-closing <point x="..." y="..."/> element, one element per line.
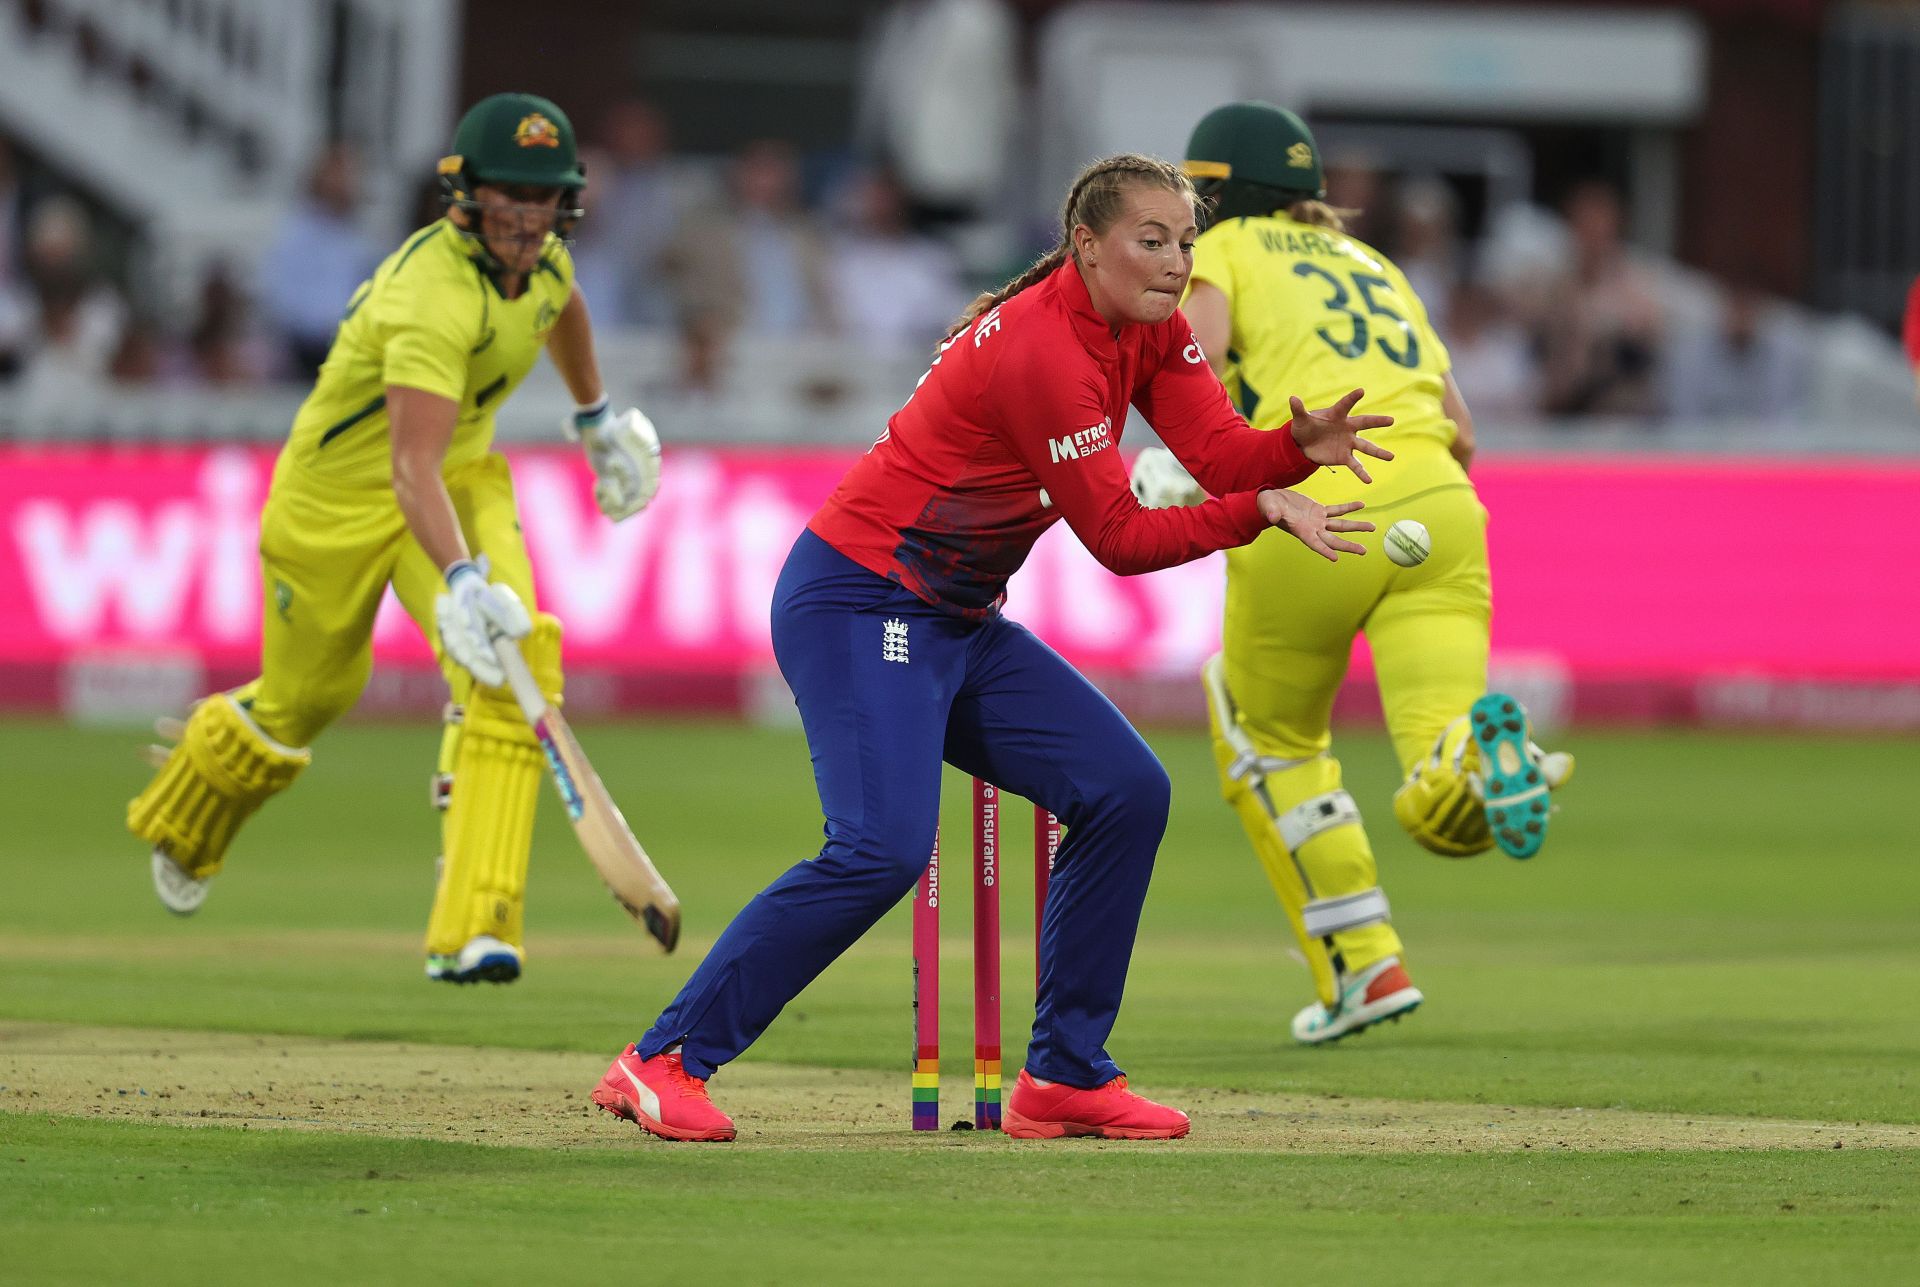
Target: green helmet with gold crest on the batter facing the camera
<point x="516" y="141"/>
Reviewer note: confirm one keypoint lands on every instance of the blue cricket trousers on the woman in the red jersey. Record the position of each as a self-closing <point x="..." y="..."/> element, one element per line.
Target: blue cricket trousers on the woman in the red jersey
<point x="888" y="689"/>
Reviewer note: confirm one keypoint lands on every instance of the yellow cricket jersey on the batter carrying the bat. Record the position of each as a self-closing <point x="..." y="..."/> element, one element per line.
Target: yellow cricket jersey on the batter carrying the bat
<point x="431" y="318"/>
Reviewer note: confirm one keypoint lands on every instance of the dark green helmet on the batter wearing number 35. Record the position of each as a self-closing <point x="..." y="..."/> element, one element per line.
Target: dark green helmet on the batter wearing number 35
<point x="1253" y="158"/>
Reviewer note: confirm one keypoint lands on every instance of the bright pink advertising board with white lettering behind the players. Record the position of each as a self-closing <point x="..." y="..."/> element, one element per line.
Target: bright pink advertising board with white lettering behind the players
<point x="1646" y="589"/>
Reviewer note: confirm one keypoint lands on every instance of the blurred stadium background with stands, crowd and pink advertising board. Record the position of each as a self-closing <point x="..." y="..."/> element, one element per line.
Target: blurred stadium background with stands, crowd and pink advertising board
<point x="1669" y="247"/>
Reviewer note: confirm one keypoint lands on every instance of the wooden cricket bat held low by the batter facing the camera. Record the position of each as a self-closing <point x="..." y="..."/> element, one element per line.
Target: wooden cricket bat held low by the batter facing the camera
<point x="627" y="869"/>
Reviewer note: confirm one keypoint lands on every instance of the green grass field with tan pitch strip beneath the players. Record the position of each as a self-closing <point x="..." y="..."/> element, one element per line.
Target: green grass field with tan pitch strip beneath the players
<point x="1681" y="1046"/>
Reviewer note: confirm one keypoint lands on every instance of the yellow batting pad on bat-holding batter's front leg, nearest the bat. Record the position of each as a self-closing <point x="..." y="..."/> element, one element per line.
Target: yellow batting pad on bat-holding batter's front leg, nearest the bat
<point x="489" y="829"/>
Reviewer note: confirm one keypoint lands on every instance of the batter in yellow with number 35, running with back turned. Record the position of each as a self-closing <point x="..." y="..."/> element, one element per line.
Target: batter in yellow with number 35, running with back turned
<point x="1284" y="301"/>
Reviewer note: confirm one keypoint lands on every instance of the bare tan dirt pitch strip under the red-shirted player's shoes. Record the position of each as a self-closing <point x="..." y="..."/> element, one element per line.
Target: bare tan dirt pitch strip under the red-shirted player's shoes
<point x="540" y="1100"/>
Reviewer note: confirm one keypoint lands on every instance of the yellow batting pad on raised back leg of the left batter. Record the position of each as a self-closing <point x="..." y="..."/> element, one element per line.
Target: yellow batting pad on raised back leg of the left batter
<point x="212" y="781"/>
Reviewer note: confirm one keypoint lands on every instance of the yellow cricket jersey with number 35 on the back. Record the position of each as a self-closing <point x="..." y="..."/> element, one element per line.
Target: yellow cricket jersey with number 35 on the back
<point x="1322" y="314"/>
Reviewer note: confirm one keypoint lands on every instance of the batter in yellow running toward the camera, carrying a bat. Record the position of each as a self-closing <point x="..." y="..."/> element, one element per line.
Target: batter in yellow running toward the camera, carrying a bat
<point x="391" y="479"/>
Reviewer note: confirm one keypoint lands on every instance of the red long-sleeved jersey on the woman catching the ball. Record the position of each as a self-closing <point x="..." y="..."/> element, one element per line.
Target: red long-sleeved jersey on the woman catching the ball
<point x="1030" y="401"/>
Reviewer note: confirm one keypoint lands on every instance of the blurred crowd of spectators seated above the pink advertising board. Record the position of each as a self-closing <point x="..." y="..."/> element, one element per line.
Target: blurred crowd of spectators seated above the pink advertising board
<point x="1548" y="314"/>
